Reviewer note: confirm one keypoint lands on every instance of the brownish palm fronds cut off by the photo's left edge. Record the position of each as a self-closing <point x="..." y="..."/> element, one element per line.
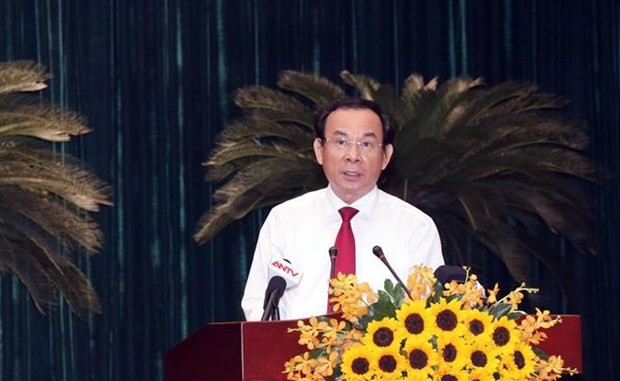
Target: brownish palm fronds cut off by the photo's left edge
<point x="45" y="197"/>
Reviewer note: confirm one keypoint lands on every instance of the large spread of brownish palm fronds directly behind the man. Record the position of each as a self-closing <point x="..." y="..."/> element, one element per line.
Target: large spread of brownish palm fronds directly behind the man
<point x="497" y="167"/>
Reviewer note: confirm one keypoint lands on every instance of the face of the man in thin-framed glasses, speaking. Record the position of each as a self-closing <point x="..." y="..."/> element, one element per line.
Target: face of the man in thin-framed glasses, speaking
<point x="352" y="172"/>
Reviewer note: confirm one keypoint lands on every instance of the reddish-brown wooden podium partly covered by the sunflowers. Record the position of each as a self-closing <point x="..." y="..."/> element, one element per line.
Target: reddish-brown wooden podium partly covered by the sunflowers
<point x="258" y="350"/>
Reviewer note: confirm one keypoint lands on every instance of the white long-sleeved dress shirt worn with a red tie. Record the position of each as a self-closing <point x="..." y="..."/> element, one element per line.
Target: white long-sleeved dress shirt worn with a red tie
<point x="303" y="229"/>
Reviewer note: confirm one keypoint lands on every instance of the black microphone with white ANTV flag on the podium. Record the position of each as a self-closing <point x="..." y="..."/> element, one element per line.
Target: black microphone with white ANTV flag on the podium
<point x="282" y="276"/>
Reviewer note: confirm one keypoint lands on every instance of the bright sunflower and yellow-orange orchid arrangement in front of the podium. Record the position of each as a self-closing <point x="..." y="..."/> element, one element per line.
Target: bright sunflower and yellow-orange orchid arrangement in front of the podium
<point x="440" y="332"/>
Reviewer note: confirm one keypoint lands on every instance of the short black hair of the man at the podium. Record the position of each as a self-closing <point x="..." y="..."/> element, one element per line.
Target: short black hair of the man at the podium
<point x="355" y="104"/>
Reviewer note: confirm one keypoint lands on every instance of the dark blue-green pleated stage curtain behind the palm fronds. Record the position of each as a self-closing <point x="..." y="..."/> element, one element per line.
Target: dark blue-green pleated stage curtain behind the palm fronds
<point x="156" y="78"/>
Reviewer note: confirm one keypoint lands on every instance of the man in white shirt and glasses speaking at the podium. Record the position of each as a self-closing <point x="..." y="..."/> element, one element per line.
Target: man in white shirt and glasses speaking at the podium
<point x="353" y="144"/>
